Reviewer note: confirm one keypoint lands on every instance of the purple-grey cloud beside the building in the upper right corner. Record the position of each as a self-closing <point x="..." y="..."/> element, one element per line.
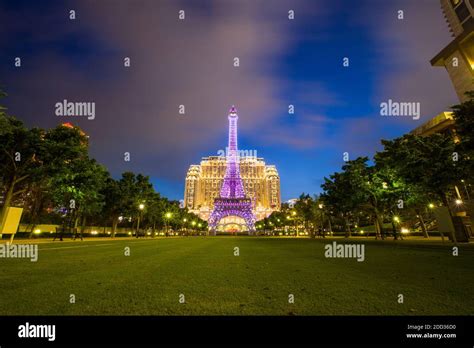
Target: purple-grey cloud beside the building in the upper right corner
<point x="404" y="50"/>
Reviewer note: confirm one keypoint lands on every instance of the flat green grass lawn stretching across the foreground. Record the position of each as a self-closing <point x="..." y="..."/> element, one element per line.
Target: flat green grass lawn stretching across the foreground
<point x="258" y="282"/>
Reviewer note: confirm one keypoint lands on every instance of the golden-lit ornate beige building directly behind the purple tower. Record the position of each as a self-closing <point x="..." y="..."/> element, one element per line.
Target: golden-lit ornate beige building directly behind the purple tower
<point x="204" y="181"/>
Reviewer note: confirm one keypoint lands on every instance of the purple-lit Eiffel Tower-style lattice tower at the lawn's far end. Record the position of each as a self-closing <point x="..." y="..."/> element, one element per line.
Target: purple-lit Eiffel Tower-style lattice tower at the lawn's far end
<point x="232" y="200"/>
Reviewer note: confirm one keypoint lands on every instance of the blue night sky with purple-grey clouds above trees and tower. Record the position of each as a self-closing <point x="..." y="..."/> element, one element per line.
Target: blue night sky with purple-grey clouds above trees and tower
<point x="190" y="62"/>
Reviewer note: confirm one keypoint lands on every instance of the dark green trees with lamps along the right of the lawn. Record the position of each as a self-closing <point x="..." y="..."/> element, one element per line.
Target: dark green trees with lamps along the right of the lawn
<point x="405" y="181"/>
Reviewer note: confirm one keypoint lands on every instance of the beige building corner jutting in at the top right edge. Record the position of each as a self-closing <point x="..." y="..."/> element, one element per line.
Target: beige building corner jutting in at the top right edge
<point x="458" y="56"/>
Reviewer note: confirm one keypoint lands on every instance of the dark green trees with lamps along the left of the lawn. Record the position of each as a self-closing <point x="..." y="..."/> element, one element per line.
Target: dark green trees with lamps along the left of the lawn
<point x="50" y="174"/>
